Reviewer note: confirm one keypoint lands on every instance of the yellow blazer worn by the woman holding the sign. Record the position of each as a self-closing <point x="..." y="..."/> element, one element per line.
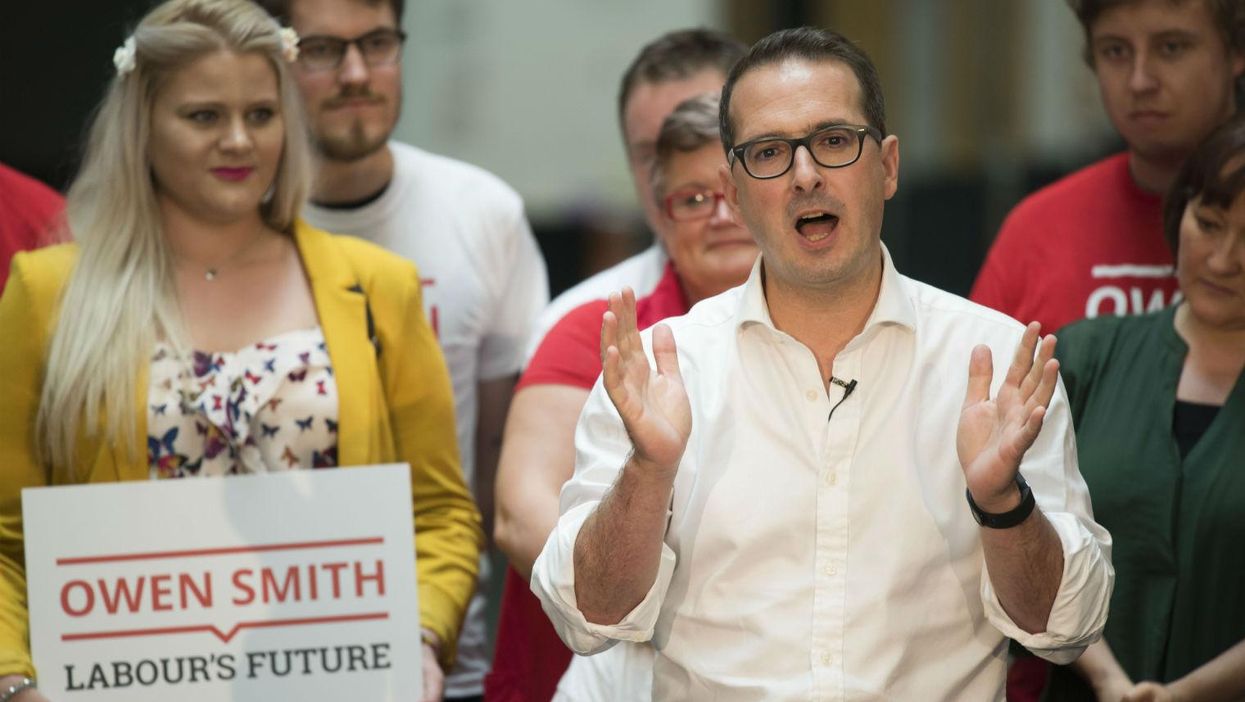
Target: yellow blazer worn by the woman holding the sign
<point x="394" y="406"/>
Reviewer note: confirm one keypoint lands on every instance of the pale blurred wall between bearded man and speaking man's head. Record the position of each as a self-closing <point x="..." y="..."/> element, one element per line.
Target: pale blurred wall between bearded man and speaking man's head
<point x="527" y="89"/>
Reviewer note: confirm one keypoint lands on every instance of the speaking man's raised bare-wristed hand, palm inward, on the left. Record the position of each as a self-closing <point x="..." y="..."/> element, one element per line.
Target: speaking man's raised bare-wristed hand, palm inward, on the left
<point x="652" y="403"/>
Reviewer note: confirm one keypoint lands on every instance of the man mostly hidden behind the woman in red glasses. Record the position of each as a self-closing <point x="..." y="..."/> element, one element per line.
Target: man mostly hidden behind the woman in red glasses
<point x="669" y="70"/>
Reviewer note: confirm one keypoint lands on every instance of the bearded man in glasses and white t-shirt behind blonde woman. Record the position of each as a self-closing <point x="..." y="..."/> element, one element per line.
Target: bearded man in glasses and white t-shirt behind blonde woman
<point x="484" y="278"/>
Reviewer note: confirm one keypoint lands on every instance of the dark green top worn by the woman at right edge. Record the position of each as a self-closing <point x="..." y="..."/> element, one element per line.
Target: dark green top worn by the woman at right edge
<point x="1178" y="526"/>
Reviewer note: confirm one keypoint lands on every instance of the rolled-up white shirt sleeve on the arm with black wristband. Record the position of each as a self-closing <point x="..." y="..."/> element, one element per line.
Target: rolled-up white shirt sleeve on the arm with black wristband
<point x="1080" y="611"/>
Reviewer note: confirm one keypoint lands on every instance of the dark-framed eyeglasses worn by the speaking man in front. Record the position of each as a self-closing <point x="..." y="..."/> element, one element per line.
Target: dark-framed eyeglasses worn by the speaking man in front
<point x="832" y="147"/>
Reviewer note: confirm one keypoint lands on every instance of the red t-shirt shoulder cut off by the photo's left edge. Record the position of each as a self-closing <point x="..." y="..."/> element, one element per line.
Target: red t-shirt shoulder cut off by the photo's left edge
<point x="29" y="211"/>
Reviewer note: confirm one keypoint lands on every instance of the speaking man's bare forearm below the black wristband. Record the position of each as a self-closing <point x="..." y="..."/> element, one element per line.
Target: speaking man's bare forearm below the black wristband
<point x="1025" y="564"/>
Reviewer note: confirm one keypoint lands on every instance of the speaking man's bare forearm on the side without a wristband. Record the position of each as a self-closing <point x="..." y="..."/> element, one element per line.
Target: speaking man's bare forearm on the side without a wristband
<point x="618" y="551"/>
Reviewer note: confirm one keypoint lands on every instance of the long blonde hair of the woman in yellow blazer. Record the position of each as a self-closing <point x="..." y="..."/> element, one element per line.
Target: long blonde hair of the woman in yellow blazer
<point x="121" y="294"/>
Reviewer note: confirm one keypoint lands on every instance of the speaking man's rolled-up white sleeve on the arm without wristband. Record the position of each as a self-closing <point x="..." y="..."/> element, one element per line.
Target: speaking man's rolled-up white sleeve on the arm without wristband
<point x="602" y="449"/>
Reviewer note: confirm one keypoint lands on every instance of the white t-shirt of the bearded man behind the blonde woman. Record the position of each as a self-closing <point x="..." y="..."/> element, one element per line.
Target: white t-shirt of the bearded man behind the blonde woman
<point x="485" y="286"/>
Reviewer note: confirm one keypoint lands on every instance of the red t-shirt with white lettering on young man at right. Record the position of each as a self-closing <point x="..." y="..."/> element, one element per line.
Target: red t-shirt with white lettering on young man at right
<point x="1090" y="245"/>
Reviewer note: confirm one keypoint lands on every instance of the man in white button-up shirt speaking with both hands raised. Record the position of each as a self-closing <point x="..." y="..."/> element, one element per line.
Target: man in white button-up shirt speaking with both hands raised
<point x="780" y="507"/>
